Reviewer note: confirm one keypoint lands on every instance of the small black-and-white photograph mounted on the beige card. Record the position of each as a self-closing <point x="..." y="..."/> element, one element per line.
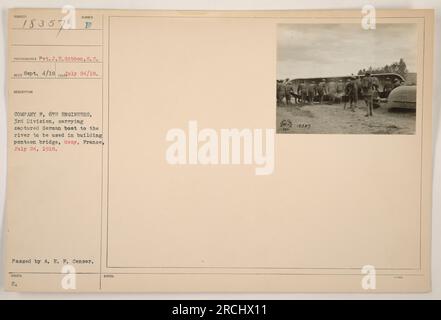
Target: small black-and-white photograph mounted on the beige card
<point x="345" y="79"/>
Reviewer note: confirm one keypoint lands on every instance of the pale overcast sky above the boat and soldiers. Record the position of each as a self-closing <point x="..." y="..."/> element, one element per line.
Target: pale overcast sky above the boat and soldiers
<point x="321" y="50"/>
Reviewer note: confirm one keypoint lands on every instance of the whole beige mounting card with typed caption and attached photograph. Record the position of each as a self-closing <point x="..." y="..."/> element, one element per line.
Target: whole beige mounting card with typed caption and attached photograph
<point x="241" y="151"/>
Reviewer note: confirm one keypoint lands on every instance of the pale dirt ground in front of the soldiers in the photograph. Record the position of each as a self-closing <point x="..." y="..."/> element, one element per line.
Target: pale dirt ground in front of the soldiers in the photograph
<point x="334" y="119"/>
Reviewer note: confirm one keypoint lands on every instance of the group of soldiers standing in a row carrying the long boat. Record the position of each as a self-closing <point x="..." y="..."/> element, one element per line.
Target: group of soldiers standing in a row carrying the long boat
<point x="334" y="90"/>
